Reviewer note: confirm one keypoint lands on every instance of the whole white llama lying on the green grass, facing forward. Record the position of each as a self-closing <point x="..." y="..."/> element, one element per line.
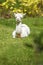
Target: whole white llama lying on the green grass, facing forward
<point x="22" y="30"/>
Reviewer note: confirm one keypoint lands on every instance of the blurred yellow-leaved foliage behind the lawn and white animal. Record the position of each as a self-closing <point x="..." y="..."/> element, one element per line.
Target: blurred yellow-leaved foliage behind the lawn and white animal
<point x="30" y="7"/>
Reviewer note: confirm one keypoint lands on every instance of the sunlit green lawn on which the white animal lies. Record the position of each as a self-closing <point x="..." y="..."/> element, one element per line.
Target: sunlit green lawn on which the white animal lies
<point x="19" y="51"/>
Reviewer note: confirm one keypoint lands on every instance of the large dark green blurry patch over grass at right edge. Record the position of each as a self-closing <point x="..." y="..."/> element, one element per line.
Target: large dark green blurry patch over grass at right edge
<point x="38" y="40"/>
